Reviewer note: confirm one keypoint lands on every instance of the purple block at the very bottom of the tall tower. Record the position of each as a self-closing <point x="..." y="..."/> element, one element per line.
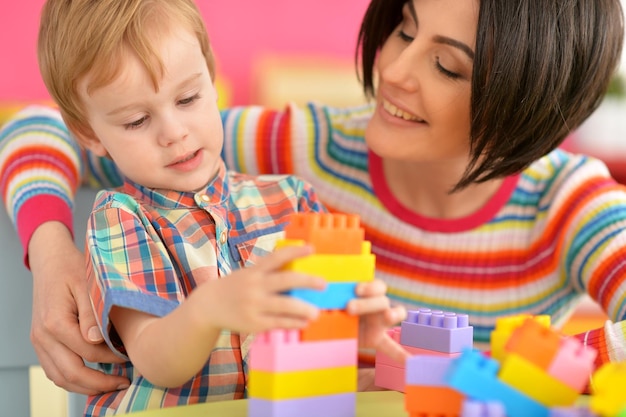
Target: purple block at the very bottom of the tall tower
<point x="340" y="405"/>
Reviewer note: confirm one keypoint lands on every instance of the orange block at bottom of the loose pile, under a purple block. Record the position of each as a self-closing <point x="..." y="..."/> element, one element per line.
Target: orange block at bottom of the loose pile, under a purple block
<point x="420" y="400"/>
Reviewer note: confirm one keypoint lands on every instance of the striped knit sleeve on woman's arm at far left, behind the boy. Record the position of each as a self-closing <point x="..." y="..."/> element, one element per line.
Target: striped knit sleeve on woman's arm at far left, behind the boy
<point x="41" y="165"/>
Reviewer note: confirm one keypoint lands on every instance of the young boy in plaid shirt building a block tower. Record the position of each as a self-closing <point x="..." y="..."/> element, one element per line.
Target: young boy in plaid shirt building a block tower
<point x="167" y="251"/>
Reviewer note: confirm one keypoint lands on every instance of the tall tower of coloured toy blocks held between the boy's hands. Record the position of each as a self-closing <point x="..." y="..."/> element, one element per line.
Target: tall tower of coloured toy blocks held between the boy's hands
<point x="313" y="371"/>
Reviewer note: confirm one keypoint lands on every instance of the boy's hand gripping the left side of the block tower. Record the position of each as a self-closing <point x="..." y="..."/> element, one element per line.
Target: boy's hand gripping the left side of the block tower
<point x="251" y="299"/>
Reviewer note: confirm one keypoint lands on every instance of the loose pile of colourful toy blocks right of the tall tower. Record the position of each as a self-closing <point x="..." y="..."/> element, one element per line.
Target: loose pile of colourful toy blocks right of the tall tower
<point x="533" y="371"/>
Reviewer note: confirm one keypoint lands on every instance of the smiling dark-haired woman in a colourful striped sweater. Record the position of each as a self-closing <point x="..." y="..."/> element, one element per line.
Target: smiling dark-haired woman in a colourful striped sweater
<point x="453" y="170"/>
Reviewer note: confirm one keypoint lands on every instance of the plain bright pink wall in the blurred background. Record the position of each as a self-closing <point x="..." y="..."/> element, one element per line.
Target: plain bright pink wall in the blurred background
<point x="239" y="31"/>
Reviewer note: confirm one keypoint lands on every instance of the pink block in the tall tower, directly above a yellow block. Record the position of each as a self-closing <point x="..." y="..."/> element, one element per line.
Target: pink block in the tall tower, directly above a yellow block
<point x="282" y="350"/>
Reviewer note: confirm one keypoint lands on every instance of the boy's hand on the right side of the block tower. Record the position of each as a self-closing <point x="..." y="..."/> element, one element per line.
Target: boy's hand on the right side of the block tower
<point x="376" y="317"/>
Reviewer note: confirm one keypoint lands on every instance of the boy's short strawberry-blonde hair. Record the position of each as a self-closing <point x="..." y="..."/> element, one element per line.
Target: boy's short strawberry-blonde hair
<point x="81" y="37"/>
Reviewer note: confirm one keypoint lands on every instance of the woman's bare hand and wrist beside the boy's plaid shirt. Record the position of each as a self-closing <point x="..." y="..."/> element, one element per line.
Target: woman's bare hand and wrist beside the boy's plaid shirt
<point x="63" y="328"/>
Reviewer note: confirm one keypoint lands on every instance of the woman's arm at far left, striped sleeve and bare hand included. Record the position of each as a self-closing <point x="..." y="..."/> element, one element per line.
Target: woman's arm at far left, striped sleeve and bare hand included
<point x="40" y="171"/>
